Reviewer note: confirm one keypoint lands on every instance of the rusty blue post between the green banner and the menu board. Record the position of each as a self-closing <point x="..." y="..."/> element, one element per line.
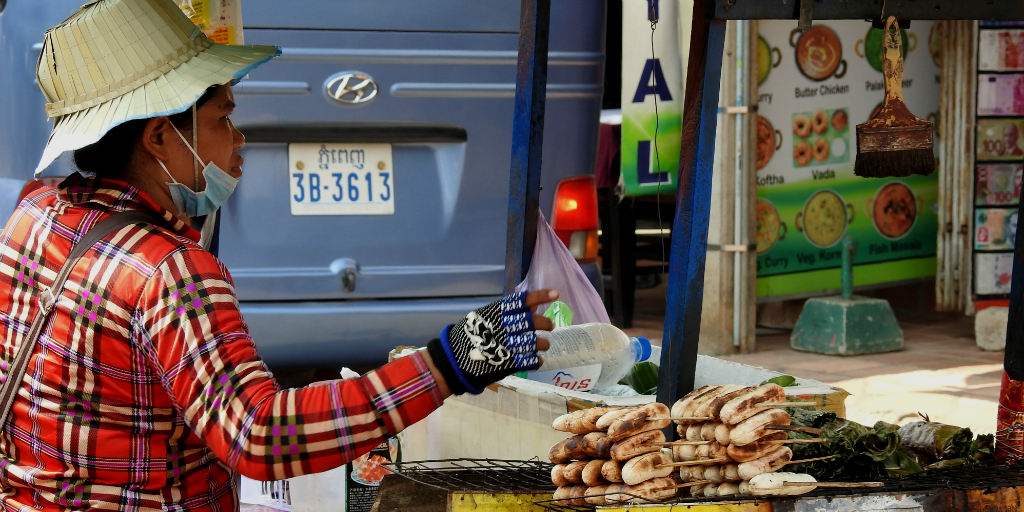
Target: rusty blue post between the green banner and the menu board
<point x="690" y="231"/>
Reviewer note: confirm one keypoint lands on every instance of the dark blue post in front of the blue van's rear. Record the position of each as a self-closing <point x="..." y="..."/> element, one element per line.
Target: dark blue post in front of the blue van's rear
<point x="528" y="140"/>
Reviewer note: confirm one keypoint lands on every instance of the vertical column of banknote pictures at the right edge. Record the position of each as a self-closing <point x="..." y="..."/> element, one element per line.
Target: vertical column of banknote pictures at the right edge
<point x="999" y="157"/>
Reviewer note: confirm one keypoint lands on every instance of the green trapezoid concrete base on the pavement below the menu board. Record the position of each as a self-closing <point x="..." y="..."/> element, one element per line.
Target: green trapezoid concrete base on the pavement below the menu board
<point x="847" y="327"/>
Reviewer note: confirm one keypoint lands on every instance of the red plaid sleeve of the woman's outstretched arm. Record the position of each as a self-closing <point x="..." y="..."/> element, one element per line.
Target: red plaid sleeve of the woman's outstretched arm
<point x="193" y="332"/>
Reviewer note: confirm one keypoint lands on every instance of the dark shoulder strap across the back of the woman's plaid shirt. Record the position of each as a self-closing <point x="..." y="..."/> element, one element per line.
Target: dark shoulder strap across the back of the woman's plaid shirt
<point x="49" y="297"/>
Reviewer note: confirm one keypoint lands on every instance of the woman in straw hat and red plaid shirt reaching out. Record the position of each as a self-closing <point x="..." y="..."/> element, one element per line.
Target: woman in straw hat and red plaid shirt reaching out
<point x="145" y="391"/>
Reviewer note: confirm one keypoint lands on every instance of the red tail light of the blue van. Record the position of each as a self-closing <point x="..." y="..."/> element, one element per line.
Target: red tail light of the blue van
<point x="575" y="217"/>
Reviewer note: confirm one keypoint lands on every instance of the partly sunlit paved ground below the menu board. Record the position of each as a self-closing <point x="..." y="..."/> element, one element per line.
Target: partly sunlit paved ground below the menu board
<point x="941" y="372"/>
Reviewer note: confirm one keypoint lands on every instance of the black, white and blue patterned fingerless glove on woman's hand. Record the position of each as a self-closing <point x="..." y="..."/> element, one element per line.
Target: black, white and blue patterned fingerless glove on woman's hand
<point x="488" y="346"/>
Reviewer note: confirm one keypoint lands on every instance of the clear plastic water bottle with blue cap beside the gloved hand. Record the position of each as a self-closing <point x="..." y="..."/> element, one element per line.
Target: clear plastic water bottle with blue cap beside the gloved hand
<point x="588" y="345"/>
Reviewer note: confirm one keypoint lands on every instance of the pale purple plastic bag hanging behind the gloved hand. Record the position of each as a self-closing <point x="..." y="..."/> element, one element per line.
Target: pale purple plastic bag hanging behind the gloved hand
<point x="553" y="267"/>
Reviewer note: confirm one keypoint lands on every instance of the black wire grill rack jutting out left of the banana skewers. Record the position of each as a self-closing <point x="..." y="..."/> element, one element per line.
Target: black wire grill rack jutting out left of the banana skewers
<point x="481" y="476"/>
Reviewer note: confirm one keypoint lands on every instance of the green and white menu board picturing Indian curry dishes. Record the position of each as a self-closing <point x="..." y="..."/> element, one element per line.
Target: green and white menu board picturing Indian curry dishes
<point x="815" y="89"/>
